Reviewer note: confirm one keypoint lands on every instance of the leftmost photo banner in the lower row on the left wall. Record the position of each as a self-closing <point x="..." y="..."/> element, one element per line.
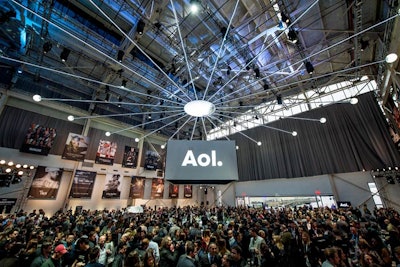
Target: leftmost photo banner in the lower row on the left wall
<point x="46" y="182"/>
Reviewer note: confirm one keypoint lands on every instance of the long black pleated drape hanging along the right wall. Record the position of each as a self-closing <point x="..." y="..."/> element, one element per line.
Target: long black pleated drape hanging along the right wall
<point x="354" y="138"/>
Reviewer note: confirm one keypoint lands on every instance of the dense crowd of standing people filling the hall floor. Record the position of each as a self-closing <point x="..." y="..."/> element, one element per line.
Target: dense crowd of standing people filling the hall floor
<point x="202" y="237"/>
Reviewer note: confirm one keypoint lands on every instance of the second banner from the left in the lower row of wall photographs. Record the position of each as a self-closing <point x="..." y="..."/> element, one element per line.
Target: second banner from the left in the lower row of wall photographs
<point x="83" y="184"/>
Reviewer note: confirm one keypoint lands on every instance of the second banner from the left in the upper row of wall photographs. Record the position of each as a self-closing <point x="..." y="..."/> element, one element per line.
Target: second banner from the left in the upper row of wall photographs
<point x="75" y="147"/>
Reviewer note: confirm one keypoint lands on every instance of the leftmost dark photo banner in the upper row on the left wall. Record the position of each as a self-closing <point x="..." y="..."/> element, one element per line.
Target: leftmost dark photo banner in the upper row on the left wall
<point x="38" y="140"/>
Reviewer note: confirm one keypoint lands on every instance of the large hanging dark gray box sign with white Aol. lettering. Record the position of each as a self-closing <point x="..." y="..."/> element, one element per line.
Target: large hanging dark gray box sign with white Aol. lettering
<point x="201" y="162"/>
